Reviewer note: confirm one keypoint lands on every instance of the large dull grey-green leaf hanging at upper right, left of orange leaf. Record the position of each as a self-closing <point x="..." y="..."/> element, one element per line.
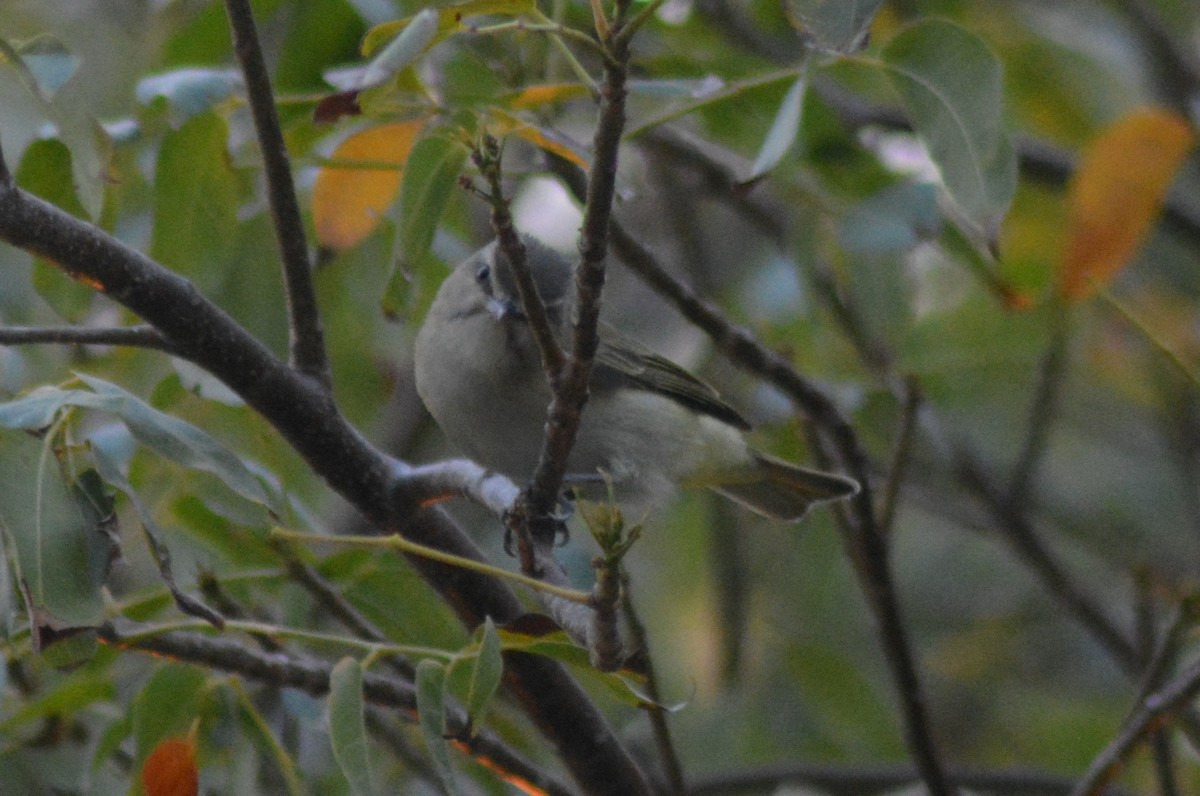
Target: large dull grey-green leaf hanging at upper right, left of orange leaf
<point x="952" y="87"/>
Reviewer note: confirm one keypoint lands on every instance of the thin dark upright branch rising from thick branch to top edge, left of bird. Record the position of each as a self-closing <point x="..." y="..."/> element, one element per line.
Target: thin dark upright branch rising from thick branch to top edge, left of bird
<point x="308" y="338"/>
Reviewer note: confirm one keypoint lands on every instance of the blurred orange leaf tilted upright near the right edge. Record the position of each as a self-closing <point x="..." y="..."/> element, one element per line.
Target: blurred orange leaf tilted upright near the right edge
<point x="1117" y="194"/>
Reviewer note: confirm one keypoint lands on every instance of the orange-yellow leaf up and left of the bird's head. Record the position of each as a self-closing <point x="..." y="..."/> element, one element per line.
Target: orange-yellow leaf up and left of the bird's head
<point x="352" y="195"/>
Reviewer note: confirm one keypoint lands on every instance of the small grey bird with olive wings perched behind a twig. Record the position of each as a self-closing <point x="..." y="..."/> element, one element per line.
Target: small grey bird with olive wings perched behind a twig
<point x="649" y="426"/>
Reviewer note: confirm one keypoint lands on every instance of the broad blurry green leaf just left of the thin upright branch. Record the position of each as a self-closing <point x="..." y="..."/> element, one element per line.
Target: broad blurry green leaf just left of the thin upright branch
<point x="196" y="202"/>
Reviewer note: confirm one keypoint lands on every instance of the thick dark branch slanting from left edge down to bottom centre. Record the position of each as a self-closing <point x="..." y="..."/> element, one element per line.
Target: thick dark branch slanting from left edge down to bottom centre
<point x="304" y="415"/>
